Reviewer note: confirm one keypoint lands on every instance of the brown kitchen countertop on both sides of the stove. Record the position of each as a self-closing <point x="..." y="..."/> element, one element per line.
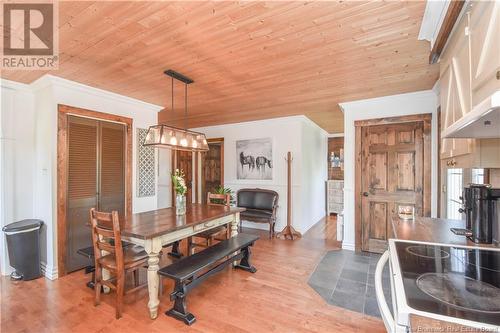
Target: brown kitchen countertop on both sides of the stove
<point x="434" y="230"/>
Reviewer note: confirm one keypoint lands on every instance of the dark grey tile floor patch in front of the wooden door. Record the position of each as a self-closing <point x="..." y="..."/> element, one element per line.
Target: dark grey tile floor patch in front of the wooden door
<point x="346" y="279"/>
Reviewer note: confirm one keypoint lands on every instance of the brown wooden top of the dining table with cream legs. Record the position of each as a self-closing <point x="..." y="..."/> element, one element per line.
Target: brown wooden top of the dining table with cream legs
<point x="158" y="222"/>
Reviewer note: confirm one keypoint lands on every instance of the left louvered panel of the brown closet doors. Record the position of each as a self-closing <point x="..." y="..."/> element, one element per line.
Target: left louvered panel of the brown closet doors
<point x="82" y="187"/>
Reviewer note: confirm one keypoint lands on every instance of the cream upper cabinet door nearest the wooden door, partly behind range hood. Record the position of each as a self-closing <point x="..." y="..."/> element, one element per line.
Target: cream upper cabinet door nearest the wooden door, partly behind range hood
<point x="455" y="88"/>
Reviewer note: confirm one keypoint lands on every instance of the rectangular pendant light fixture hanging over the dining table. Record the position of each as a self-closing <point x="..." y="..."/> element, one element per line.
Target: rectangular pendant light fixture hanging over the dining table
<point x="164" y="136"/>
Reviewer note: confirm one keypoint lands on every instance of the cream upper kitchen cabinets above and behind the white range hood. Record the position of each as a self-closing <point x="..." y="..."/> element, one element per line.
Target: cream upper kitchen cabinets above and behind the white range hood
<point x="469" y="72"/>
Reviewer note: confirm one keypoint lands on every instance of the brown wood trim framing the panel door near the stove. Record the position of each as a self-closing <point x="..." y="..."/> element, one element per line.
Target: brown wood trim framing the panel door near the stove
<point x="427" y="184"/>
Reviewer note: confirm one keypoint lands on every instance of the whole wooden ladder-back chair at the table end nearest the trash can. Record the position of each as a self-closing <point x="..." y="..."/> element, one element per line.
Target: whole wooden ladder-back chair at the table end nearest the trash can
<point x="114" y="258"/>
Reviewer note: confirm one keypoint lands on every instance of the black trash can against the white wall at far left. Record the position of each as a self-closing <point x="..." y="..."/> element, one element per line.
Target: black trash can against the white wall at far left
<point x="23" y="243"/>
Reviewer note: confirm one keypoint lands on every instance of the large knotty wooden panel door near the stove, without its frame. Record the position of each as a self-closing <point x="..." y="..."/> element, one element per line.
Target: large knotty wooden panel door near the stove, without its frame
<point x="392" y="158"/>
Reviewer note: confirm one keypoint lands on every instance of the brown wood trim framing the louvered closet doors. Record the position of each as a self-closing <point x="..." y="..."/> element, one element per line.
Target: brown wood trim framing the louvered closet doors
<point x="62" y="170"/>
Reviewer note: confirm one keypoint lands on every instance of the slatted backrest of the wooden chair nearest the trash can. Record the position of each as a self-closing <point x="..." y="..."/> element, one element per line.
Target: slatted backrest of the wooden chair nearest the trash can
<point x="106" y="228"/>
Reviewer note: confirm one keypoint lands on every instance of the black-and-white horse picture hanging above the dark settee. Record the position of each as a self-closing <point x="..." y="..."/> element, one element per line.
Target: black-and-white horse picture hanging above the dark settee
<point x="254" y="159"/>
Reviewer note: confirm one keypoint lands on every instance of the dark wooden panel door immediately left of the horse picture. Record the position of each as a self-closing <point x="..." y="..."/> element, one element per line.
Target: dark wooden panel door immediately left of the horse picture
<point x="212" y="168"/>
